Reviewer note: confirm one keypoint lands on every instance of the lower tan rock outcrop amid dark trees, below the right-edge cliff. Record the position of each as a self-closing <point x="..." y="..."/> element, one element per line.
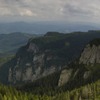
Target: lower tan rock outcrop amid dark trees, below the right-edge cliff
<point x="73" y="75"/>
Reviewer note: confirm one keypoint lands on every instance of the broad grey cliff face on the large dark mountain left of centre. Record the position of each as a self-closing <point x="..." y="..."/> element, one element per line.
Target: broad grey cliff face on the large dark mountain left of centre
<point x="30" y="64"/>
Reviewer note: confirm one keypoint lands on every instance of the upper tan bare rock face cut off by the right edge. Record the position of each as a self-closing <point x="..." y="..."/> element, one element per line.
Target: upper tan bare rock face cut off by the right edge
<point x="90" y="55"/>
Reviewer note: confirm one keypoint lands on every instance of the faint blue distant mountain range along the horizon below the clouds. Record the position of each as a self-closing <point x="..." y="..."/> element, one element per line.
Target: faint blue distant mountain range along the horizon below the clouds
<point x="44" y="27"/>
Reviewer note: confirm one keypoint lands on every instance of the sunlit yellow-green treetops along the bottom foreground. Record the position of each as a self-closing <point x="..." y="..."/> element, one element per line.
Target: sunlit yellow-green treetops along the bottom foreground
<point x="88" y="92"/>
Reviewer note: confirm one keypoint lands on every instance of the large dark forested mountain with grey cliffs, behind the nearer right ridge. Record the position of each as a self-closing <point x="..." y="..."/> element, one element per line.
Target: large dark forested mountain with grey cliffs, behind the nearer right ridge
<point x="45" y="55"/>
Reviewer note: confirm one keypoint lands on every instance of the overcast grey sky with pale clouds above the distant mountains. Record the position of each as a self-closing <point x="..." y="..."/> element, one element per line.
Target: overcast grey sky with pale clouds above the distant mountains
<point x="43" y="10"/>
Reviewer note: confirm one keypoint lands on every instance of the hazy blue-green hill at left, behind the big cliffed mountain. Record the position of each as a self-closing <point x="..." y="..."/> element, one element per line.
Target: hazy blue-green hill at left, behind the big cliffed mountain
<point x="9" y="43"/>
